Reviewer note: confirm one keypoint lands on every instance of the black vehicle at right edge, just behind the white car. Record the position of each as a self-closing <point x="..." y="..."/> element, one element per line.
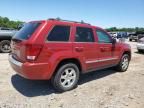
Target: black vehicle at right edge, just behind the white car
<point x="136" y="36"/>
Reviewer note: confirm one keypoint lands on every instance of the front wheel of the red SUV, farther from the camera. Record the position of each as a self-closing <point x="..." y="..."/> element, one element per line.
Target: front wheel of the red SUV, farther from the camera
<point x="124" y="63"/>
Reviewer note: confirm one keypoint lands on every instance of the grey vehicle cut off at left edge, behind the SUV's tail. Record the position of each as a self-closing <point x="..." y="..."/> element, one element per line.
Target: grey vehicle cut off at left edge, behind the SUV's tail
<point x="5" y="38"/>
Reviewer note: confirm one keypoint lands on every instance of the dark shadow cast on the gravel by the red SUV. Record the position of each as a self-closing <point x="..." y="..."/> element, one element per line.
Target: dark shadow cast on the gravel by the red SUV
<point x="31" y="88"/>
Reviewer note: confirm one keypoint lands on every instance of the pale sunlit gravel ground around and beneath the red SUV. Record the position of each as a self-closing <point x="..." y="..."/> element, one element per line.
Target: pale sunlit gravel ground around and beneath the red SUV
<point x="101" y="89"/>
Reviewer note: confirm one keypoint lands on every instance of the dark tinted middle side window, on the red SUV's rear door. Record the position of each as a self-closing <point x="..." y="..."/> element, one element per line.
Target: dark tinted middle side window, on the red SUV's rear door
<point x="84" y="35"/>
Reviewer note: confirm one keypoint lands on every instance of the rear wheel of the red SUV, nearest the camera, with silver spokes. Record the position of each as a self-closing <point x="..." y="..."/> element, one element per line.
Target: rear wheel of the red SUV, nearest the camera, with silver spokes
<point x="66" y="77"/>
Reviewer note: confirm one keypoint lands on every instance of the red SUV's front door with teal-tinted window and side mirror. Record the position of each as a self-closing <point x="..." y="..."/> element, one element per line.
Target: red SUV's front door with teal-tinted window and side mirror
<point x="107" y="50"/>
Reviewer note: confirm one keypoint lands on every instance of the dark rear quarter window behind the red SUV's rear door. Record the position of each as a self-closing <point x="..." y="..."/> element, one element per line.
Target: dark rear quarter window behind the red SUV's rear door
<point x="59" y="33"/>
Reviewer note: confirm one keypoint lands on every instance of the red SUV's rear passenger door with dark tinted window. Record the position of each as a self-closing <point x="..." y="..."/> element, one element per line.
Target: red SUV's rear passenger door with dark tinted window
<point x="86" y="47"/>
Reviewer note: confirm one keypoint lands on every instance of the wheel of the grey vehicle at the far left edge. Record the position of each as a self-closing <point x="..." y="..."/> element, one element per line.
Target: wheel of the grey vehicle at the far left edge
<point x="5" y="46"/>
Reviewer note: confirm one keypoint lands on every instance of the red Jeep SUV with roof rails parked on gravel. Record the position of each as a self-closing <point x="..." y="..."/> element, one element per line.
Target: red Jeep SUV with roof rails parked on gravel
<point x="61" y="50"/>
